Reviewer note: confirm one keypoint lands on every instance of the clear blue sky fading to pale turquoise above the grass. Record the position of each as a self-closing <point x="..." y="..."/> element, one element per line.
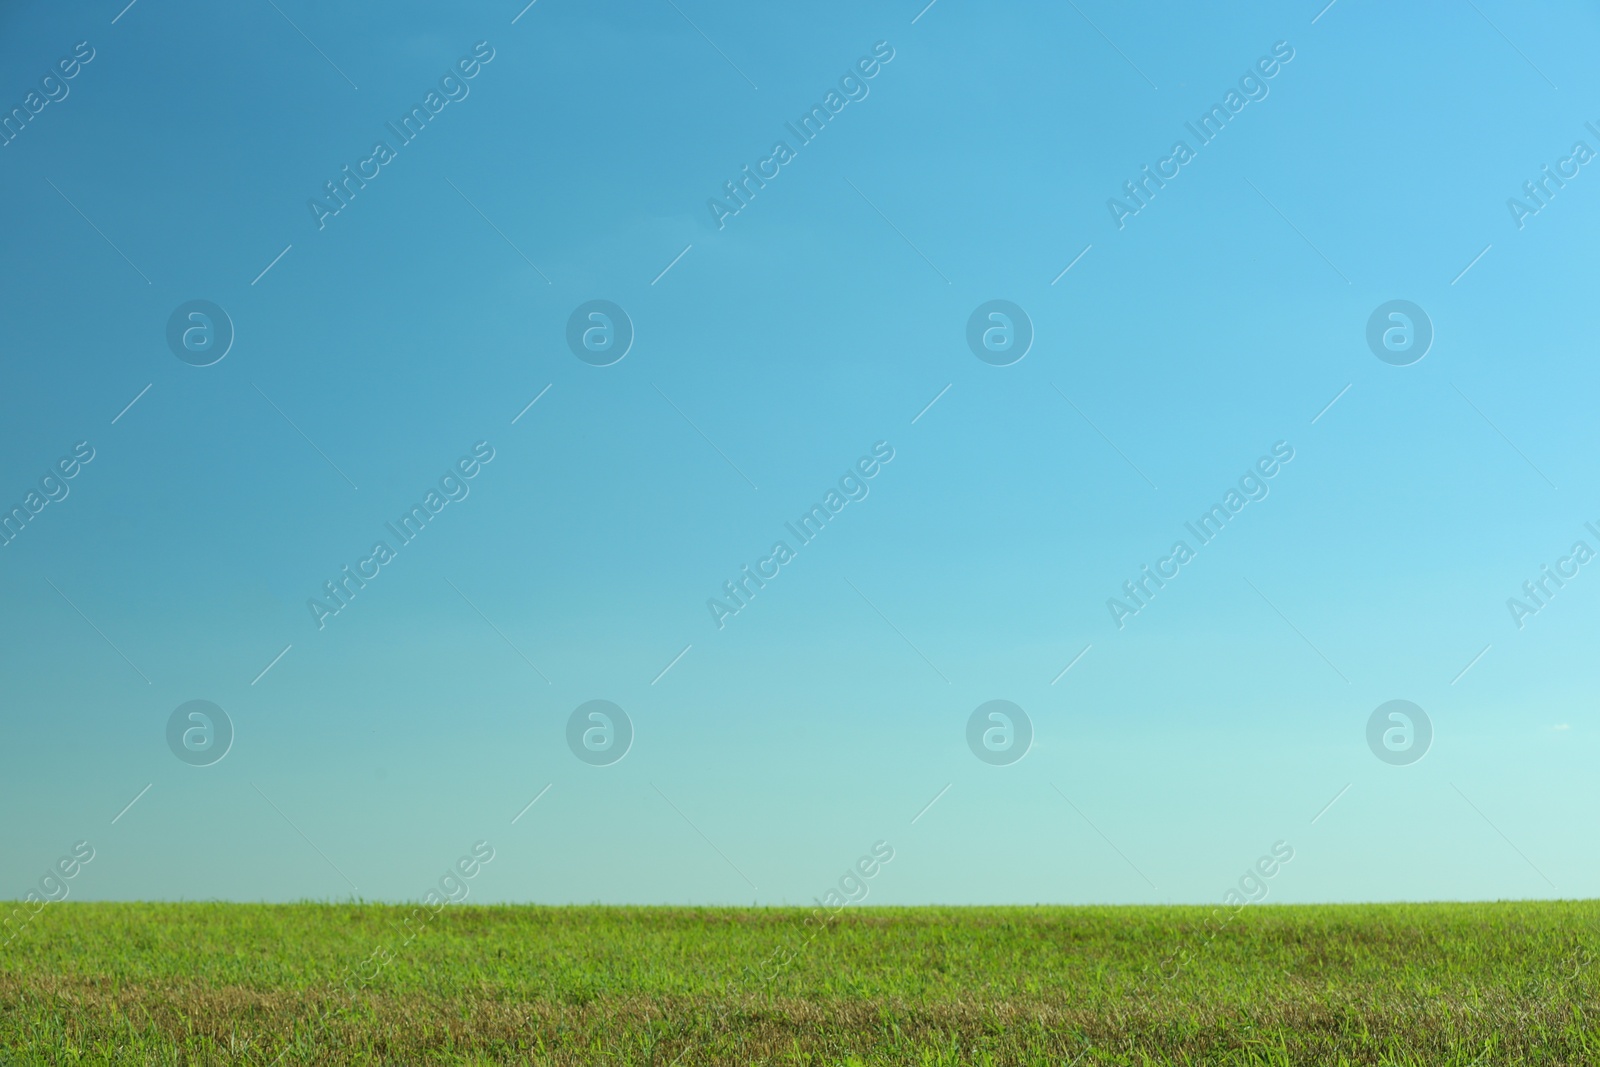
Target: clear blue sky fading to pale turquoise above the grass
<point x="391" y="340"/>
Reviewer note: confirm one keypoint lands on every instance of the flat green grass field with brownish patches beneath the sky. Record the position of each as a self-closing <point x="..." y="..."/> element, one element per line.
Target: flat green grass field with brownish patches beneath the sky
<point x="1438" y="985"/>
